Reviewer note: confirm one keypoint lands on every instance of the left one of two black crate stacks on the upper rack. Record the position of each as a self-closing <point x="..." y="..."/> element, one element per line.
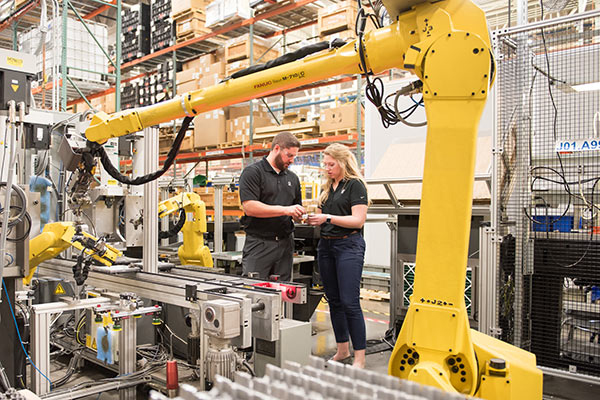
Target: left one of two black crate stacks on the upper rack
<point x="135" y="36"/>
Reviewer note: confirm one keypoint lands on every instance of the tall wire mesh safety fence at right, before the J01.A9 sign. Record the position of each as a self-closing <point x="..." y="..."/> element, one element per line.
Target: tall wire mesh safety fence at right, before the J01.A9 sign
<point x="548" y="197"/>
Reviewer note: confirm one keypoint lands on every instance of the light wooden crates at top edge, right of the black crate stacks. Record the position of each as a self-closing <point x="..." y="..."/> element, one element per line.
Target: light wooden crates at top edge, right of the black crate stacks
<point x="190" y="17"/>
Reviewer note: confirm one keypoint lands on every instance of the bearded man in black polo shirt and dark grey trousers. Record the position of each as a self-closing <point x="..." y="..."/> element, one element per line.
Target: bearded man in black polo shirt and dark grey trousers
<point x="271" y="198"/>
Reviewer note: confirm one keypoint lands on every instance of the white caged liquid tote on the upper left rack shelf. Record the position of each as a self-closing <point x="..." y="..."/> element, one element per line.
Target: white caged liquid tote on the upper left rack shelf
<point x="82" y="50"/>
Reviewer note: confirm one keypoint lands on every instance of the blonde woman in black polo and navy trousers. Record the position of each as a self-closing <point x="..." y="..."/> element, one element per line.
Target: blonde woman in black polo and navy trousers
<point x="341" y="214"/>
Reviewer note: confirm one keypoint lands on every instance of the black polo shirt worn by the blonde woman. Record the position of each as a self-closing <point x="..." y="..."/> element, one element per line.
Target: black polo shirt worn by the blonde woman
<point x="340" y="201"/>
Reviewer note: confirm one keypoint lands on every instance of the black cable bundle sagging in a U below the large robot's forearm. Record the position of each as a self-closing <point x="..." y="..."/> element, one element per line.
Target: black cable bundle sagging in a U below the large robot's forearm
<point x="140" y="180"/>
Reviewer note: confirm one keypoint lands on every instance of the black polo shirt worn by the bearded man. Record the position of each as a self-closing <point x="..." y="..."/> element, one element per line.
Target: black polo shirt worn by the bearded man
<point x="259" y="181"/>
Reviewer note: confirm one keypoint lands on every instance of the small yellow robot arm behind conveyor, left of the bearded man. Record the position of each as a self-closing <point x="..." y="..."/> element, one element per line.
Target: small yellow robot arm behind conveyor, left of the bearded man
<point x="193" y="251"/>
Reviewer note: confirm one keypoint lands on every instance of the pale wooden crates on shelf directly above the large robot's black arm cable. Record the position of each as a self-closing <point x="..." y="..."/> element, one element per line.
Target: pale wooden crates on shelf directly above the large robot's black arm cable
<point x="237" y="53"/>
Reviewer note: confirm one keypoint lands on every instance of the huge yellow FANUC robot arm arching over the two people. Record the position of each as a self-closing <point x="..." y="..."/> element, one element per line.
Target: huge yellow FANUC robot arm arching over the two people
<point x="446" y="44"/>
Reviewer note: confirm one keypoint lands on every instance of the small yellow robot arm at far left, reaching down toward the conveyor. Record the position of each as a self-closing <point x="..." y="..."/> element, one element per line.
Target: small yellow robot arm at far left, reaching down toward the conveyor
<point x="59" y="236"/>
